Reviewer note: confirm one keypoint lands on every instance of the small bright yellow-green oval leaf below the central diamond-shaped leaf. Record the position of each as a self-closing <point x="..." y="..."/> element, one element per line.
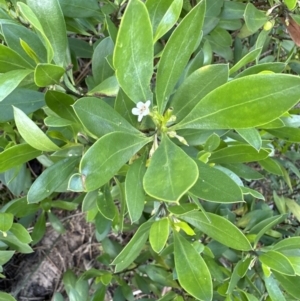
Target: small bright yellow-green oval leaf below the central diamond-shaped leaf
<point x="159" y="233"/>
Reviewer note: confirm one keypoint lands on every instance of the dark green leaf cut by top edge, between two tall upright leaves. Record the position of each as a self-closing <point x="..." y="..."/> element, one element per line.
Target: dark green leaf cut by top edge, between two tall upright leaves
<point x="79" y="9"/>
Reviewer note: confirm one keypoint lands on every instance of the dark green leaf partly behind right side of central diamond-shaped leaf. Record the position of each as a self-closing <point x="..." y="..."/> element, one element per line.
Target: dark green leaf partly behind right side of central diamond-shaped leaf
<point x="227" y="191"/>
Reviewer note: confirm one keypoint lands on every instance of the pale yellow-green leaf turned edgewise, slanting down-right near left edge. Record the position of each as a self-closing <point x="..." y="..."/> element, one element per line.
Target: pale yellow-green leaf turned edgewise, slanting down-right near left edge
<point x="31" y="133"/>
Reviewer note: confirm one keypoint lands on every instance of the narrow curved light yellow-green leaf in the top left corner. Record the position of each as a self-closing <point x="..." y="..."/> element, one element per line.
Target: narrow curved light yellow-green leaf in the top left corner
<point x="28" y="13"/>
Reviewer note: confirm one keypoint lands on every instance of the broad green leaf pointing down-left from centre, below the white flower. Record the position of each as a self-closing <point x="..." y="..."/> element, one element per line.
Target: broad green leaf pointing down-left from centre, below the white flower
<point x="103" y="160"/>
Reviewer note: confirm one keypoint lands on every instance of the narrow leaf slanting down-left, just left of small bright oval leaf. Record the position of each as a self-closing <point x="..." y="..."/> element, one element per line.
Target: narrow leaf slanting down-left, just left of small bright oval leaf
<point x="133" y="248"/>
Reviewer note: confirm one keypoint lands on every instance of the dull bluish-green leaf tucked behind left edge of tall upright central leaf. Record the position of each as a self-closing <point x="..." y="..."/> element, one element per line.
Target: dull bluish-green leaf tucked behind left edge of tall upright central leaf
<point x="100" y="68"/>
